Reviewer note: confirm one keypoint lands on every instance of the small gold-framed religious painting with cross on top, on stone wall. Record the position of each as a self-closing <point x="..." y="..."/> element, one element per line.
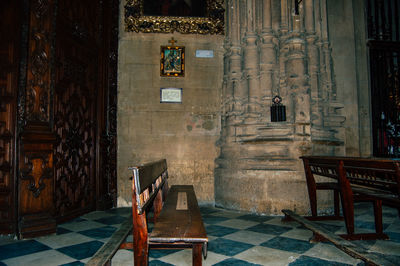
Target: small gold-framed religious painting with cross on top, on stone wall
<point x="172" y="62"/>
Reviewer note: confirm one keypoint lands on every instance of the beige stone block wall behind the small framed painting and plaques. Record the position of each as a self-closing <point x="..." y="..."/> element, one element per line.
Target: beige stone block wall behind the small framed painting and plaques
<point x="183" y="133"/>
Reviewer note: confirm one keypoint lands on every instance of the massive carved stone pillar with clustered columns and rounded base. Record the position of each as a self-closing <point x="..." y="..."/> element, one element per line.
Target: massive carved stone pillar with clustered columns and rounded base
<point x="279" y="53"/>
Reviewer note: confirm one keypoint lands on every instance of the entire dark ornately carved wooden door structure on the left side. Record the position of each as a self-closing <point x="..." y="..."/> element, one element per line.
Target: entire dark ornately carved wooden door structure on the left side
<point x="58" y="63"/>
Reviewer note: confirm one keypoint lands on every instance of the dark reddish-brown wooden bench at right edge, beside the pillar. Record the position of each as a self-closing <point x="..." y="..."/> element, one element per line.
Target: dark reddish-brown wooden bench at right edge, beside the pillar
<point x="355" y="179"/>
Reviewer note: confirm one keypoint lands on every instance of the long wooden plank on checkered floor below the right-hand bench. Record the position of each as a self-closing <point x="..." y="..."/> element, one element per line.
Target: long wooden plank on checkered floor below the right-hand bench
<point x="345" y="245"/>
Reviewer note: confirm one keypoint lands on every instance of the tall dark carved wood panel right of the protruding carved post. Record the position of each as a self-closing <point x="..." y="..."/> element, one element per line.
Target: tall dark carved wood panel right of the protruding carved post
<point x="75" y="107"/>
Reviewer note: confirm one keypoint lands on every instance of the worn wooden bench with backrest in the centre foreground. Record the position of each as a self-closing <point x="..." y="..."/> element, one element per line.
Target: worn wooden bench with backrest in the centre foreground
<point x="177" y="220"/>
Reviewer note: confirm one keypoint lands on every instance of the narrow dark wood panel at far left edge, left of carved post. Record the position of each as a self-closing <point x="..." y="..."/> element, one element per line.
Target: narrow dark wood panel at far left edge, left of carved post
<point x="9" y="62"/>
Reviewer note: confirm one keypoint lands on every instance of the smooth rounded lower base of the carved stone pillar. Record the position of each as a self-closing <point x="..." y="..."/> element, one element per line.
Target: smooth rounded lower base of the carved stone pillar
<point x="261" y="191"/>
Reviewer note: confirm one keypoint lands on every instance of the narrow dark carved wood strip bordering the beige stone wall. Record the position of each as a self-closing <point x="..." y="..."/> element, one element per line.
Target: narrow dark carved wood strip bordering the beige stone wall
<point x="107" y="176"/>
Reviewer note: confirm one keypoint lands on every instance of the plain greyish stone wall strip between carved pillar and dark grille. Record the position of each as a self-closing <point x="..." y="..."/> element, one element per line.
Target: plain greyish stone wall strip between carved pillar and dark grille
<point x="347" y="29"/>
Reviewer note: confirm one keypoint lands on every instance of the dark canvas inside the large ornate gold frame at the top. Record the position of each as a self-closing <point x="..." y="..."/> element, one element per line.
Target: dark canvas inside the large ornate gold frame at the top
<point x="178" y="8"/>
